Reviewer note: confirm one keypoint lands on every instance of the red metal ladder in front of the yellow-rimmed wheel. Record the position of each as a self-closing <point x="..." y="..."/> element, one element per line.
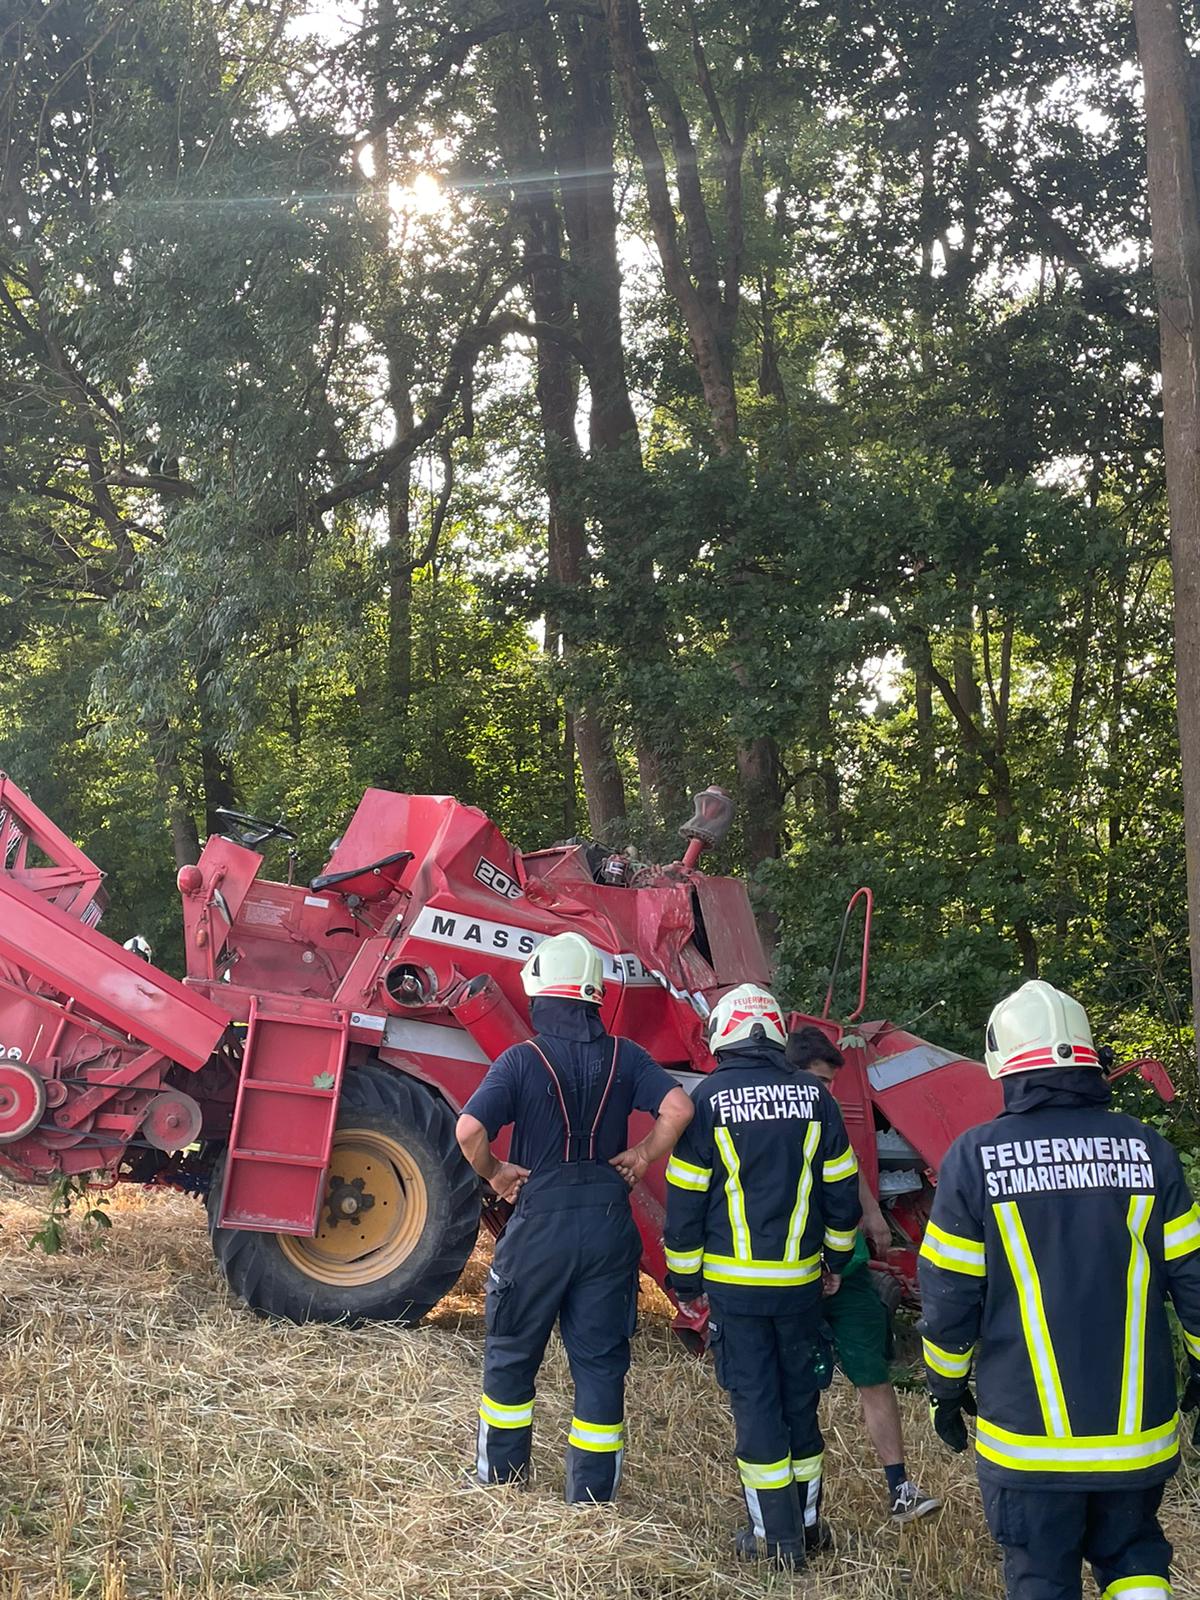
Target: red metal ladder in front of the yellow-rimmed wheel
<point x="284" y="1121"/>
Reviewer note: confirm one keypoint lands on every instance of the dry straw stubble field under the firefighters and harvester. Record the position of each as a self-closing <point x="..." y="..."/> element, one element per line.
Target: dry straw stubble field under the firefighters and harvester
<point x="159" y="1442"/>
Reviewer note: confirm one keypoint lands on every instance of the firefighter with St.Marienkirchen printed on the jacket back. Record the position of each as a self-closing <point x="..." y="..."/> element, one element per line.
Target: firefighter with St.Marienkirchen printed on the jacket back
<point x="1058" y="1234"/>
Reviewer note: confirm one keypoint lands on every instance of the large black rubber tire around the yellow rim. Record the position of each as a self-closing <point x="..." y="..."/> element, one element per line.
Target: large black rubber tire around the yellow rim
<point x="273" y="1286"/>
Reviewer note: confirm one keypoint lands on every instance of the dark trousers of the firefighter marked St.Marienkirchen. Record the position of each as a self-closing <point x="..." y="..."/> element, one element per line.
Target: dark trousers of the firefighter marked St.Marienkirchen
<point x="1047" y="1535"/>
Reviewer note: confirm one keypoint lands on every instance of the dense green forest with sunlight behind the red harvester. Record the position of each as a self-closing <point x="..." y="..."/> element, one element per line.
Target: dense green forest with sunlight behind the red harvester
<point x="569" y="404"/>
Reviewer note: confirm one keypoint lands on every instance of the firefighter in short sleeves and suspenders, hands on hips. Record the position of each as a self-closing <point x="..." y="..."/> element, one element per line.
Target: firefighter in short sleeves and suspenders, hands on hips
<point x="572" y="1249"/>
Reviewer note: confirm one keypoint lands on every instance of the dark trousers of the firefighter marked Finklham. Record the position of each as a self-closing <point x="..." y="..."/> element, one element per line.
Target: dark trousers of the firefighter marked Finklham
<point x="769" y="1369"/>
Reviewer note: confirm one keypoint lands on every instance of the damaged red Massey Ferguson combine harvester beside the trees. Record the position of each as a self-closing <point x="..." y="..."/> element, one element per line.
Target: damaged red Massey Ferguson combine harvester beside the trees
<point x="308" y="1071"/>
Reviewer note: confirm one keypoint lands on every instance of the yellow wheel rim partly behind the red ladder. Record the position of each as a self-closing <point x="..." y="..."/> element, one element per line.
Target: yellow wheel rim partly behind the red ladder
<point x="374" y="1212"/>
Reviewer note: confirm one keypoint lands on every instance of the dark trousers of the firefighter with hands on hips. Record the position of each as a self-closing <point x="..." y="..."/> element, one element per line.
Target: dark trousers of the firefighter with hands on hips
<point x="570" y="1254"/>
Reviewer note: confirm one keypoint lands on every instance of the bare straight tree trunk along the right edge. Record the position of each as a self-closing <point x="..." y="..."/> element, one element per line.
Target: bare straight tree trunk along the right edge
<point x="1175" y="234"/>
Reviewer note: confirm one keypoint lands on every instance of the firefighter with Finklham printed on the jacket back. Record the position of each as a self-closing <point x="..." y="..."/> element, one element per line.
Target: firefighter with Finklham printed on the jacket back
<point x="762" y="1193"/>
